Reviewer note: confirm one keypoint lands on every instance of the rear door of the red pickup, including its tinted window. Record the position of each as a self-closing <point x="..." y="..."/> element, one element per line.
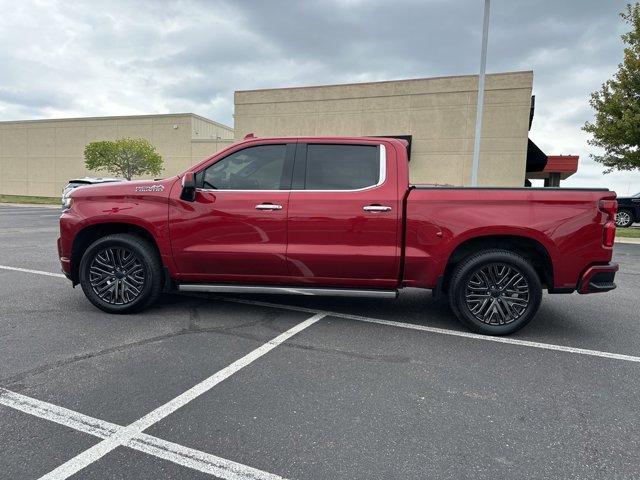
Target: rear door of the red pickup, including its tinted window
<point x="344" y="213"/>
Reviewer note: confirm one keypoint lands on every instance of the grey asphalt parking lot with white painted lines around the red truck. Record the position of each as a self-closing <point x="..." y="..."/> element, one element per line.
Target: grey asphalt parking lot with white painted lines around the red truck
<point x="267" y="387"/>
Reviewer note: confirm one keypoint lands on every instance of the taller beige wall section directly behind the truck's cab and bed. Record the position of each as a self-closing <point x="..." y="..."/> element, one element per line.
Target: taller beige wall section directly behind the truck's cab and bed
<point x="439" y="113"/>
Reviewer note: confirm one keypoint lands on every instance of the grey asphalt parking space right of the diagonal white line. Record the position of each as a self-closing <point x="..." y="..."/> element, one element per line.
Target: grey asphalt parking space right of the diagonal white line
<point x="411" y="404"/>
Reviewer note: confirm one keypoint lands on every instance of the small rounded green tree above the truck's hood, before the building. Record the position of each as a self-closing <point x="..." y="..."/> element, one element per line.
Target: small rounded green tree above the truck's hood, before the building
<point x="126" y="157"/>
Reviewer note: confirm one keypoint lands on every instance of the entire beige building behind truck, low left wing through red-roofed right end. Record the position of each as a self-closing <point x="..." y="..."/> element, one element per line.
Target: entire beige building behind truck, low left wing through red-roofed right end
<point x="437" y="115"/>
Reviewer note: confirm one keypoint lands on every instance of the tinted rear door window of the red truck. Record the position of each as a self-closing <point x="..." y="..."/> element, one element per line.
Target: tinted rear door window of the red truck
<point x="342" y="167"/>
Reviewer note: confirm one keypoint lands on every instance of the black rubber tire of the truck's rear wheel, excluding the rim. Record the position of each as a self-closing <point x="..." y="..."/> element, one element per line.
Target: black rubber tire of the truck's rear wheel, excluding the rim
<point x="462" y="277"/>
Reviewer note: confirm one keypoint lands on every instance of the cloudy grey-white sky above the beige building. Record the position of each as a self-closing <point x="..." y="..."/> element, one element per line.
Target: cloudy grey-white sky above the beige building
<point x="71" y="59"/>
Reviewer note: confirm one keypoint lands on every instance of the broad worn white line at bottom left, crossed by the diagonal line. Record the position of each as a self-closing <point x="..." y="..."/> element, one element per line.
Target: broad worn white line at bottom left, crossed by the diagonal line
<point x="173" y="452"/>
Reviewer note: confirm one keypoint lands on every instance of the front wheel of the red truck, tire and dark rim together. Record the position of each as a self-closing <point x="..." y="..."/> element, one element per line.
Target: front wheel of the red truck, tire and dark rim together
<point x="115" y="289"/>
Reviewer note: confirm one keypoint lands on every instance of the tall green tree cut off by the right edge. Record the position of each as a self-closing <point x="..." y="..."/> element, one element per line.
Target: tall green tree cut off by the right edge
<point x="616" y="128"/>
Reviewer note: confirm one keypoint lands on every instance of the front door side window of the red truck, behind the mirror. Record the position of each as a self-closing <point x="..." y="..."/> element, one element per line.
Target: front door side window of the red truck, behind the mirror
<point x="254" y="168"/>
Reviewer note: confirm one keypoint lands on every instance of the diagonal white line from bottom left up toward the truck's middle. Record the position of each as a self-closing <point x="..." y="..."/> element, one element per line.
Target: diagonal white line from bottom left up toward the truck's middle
<point x="124" y="435"/>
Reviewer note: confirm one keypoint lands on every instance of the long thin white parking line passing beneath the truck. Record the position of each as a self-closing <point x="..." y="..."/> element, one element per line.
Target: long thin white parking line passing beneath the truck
<point x="423" y="328"/>
